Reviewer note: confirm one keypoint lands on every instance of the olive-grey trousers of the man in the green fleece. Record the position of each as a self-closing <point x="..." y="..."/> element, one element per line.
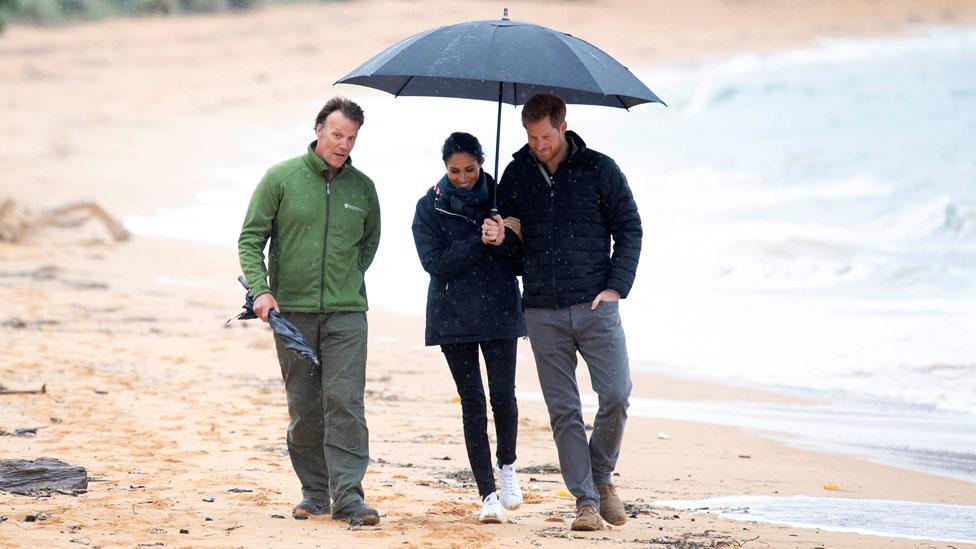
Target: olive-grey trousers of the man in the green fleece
<point x="328" y="441"/>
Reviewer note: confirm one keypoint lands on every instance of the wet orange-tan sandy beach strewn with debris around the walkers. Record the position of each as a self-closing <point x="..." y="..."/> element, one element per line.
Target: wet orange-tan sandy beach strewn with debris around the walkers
<point x="180" y="420"/>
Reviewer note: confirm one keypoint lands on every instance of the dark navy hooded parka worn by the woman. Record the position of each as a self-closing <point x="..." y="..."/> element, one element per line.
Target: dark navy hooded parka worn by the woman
<point x="473" y="293"/>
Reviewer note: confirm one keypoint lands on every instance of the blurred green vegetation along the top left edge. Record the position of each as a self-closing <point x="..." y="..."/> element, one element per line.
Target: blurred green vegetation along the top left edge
<point x="52" y="12"/>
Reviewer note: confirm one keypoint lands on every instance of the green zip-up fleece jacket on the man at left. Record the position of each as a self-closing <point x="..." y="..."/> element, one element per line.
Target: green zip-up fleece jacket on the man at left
<point x="323" y="236"/>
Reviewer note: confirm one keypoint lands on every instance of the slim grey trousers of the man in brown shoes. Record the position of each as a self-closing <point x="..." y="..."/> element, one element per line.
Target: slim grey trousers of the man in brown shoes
<point x="556" y="335"/>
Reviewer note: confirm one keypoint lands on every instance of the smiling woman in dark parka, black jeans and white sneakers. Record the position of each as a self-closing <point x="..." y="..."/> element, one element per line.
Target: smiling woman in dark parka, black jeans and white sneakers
<point x="473" y="302"/>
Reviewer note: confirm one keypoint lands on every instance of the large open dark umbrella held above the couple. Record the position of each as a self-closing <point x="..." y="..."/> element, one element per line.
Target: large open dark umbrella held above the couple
<point x="504" y="61"/>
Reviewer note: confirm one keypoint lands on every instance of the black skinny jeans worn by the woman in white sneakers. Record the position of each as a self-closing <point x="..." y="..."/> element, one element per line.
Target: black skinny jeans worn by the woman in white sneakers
<point x="462" y="359"/>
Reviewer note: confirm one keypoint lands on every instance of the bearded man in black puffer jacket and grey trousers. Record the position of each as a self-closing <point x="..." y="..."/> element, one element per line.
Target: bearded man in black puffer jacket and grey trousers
<point x="573" y="202"/>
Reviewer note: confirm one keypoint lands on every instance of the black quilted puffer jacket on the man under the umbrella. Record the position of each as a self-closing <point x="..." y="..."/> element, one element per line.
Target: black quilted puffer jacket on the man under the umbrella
<point x="568" y="221"/>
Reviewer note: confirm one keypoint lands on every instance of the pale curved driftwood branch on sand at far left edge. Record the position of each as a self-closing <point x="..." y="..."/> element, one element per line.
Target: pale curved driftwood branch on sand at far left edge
<point x="15" y="226"/>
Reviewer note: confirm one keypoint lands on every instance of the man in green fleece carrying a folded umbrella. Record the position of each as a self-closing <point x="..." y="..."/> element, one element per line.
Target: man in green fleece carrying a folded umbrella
<point x="323" y="219"/>
